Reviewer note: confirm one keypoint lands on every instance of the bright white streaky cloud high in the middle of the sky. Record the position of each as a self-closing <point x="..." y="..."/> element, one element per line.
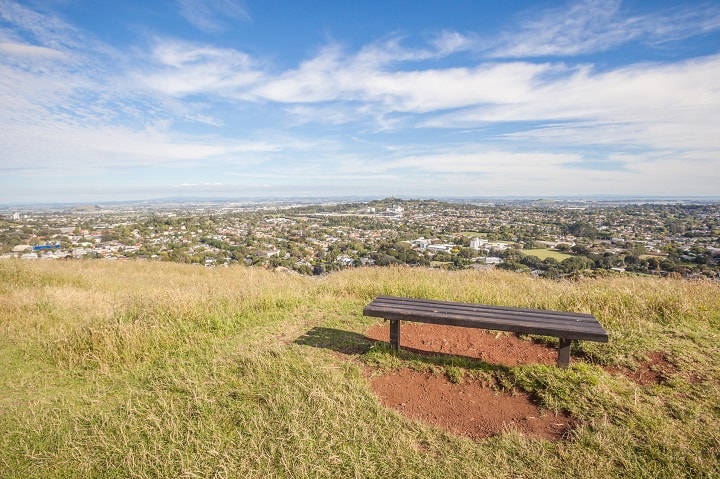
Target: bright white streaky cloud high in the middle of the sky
<point x="372" y="75"/>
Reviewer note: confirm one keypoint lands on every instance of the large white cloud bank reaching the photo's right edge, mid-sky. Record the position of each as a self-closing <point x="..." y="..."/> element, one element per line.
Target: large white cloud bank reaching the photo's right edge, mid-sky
<point x="661" y="106"/>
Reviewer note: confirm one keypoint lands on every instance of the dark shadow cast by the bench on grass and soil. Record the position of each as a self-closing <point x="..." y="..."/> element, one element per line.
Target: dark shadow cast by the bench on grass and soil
<point x="350" y="343"/>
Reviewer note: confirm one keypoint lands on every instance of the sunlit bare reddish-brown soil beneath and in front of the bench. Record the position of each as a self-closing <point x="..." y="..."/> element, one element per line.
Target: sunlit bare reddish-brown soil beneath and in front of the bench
<point x="468" y="408"/>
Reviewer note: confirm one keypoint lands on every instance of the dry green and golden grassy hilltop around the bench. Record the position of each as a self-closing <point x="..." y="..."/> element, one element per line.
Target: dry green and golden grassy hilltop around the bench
<point x="148" y="369"/>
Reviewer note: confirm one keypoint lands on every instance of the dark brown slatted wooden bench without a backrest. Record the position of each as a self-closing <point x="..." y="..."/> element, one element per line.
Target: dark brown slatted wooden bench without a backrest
<point x="564" y="326"/>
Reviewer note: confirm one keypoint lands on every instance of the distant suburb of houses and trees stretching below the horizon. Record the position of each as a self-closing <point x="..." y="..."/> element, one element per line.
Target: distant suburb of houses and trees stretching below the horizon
<point x="550" y="238"/>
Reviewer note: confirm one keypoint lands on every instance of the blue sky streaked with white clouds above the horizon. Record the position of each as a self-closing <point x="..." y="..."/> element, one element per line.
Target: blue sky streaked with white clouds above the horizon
<point x="129" y="100"/>
